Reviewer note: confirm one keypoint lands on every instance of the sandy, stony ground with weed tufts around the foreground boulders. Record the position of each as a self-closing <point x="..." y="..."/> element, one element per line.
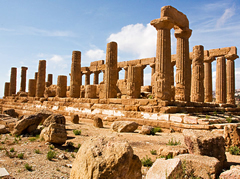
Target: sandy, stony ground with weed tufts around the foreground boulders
<point x="35" y="151"/>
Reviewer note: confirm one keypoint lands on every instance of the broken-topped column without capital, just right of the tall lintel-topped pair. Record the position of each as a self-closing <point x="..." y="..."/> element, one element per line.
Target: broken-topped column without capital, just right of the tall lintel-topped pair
<point x="197" y="88"/>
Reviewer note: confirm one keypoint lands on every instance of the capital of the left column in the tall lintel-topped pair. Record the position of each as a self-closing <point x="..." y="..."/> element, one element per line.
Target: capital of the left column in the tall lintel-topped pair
<point x="162" y="23"/>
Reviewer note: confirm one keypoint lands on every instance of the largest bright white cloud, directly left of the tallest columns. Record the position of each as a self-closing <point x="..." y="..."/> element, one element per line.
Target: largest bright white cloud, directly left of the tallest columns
<point x="136" y="39"/>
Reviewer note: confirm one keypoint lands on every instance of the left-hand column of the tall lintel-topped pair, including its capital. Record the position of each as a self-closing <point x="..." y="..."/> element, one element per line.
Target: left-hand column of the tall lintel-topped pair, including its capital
<point x="162" y="86"/>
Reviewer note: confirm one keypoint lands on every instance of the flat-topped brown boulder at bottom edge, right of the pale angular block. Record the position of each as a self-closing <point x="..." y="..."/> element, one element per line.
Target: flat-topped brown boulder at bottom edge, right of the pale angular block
<point x="200" y="166"/>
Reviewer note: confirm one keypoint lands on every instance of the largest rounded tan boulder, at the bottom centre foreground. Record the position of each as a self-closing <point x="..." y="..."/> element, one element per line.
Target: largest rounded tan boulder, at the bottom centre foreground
<point x="105" y="157"/>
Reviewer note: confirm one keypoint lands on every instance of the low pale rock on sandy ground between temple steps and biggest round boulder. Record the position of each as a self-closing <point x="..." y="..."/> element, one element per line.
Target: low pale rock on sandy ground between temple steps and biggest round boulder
<point x="124" y="126"/>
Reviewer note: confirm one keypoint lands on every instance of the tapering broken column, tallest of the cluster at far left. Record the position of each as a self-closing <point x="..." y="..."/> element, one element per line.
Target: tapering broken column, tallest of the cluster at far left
<point x="41" y="78"/>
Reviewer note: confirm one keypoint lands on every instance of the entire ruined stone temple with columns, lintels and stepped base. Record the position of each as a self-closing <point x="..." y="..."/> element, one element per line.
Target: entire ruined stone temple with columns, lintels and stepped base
<point x="186" y="90"/>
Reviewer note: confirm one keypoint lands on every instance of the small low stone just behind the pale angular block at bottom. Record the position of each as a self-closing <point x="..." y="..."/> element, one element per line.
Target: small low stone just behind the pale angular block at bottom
<point x="166" y="150"/>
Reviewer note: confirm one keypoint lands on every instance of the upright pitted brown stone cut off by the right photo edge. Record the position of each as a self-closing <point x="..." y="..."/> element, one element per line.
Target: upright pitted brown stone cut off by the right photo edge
<point x="231" y="136"/>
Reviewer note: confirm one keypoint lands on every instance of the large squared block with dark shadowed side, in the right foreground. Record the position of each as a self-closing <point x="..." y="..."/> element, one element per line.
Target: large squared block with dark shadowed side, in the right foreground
<point x="200" y="142"/>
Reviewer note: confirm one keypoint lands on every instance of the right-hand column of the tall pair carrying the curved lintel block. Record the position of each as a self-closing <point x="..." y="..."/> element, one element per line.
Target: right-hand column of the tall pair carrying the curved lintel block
<point x="183" y="65"/>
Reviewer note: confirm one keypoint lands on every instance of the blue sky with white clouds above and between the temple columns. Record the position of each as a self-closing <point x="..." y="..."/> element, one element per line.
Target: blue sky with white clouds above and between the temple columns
<point x="51" y="30"/>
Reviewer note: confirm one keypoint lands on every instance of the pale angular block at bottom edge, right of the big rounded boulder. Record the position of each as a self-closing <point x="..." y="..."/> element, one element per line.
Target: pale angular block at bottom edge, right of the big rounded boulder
<point x="171" y="168"/>
